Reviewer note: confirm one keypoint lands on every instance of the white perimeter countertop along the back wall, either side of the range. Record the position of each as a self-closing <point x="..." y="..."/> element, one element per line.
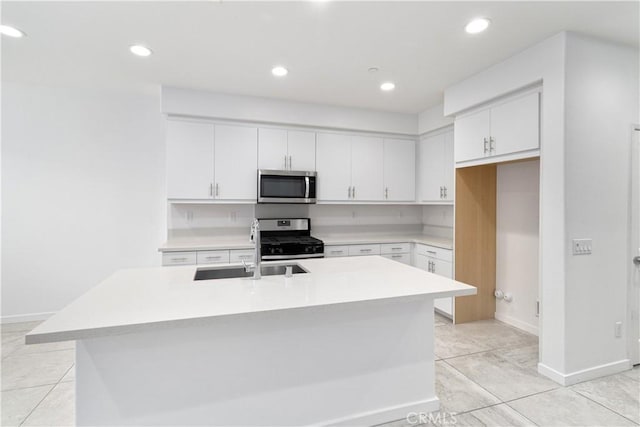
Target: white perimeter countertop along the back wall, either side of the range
<point x="216" y="243"/>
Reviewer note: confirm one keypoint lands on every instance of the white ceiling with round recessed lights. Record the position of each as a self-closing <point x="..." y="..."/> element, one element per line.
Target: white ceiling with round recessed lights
<point x="328" y="46"/>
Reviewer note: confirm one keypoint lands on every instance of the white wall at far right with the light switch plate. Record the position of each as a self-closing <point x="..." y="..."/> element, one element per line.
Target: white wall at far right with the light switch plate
<point x="601" y="106"/>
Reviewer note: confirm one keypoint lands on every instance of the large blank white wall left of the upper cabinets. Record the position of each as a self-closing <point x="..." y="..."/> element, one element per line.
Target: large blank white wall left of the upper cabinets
<point x="82" y="191"/>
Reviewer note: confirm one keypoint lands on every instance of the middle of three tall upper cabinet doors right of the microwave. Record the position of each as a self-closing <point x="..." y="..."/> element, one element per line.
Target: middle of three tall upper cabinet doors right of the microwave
<point x="367" y="164"/>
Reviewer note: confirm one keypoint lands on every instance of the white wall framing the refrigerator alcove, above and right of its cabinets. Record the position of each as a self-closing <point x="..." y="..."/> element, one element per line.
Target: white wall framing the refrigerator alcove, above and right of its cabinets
<point x="542" y="62"/>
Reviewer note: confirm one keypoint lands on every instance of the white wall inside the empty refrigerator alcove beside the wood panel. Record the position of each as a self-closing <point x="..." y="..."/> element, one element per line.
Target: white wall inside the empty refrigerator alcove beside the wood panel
<point x="517" y="242"/>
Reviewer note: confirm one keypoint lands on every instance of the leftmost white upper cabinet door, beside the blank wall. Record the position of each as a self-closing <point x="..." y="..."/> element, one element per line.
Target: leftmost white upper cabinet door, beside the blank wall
<point x="189" y="160"/>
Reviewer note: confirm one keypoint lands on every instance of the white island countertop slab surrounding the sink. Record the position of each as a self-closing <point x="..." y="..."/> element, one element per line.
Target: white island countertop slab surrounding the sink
<point x="141" y="299"/>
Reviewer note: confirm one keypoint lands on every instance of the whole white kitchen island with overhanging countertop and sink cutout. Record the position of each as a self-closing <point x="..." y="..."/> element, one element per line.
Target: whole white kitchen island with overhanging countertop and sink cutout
<point x="349" y="342"/>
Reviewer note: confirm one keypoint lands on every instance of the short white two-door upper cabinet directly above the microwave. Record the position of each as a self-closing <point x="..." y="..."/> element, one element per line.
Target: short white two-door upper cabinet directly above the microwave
<point x="281" y="149"/>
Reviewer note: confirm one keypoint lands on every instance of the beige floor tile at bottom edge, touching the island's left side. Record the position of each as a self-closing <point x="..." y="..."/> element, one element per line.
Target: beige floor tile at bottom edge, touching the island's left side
<point x="57" y="409"/>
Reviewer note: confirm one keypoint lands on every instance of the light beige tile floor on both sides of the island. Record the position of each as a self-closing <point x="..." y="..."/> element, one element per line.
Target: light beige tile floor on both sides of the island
<point x="486" y="374"/>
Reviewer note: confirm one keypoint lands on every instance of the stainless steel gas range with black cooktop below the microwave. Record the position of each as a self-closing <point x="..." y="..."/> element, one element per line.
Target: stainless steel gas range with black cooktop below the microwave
<point x="288" y="238"/>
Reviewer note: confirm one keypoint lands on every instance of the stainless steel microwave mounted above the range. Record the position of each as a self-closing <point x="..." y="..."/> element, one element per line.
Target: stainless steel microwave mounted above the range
<point x="278" y="186"/>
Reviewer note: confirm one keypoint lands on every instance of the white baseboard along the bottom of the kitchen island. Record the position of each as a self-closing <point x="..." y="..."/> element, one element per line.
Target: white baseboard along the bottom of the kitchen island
<point x="385" y="415"/>
